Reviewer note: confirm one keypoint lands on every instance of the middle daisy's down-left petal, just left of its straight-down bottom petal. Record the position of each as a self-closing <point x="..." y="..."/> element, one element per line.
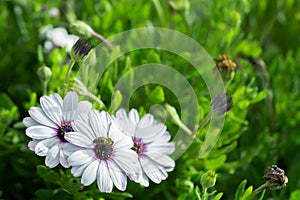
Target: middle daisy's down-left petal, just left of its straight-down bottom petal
<point x="90" y="173"/>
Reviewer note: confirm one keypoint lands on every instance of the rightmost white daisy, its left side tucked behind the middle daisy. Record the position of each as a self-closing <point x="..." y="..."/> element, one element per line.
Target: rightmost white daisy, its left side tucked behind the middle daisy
<point x="151" y="143"/>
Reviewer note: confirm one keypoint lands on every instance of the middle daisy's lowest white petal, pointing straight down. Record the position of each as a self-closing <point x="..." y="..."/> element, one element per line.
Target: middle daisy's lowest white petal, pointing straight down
<point x="104" y="181"/>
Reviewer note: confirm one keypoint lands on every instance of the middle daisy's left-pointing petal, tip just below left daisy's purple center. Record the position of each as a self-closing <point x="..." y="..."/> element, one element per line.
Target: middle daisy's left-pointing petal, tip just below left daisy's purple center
<point x="79" y="139"/>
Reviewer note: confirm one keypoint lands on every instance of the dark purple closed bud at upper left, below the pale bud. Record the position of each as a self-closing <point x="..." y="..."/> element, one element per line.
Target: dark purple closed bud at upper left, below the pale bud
<point x="80" y="49"/>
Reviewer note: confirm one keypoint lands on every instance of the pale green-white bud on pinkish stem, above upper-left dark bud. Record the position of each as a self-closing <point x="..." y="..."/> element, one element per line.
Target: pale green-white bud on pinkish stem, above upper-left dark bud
<point x="81" y="29"/>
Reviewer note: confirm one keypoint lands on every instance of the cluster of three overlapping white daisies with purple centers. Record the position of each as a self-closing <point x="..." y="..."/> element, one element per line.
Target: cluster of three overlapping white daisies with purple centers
<point x="99" y="146"/>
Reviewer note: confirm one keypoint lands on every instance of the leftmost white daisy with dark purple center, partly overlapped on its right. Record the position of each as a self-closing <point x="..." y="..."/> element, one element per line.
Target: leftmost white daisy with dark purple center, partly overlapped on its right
<point x="47" y="126"/>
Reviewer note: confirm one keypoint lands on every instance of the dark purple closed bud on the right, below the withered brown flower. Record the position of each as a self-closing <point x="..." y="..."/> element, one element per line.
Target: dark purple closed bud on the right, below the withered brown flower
<point x="221" y="104"/>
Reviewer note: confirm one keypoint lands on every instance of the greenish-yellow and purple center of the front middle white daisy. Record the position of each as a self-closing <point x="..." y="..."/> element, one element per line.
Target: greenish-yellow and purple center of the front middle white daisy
<point x="103" y="148"/>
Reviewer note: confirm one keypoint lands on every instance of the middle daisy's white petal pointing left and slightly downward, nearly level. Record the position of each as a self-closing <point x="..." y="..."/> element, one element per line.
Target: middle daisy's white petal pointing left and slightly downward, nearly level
<point x="80" y="157"/>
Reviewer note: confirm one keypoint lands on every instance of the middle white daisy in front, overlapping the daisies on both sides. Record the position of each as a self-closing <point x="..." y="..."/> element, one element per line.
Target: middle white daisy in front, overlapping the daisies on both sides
<point x="103" y="153"/>
